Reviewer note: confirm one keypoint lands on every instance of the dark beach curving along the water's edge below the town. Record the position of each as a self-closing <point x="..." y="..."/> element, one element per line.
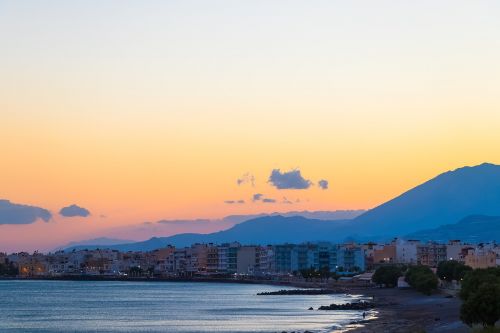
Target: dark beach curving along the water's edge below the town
<point x="396" y="310"/>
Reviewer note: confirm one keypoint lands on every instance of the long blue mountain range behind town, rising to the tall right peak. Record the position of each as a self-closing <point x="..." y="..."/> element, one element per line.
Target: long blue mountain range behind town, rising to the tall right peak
<point x="440" y="201"/>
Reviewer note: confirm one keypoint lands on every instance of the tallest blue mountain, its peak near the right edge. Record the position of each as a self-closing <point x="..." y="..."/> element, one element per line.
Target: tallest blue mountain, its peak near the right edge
<point x="445" y="199"/>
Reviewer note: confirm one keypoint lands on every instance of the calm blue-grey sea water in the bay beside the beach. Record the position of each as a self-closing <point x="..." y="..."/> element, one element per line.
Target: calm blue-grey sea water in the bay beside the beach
<point x="87" y="306"/>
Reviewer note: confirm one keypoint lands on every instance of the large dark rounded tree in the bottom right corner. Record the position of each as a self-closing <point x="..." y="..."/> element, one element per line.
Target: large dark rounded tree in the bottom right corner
<point x="483" y="306"/>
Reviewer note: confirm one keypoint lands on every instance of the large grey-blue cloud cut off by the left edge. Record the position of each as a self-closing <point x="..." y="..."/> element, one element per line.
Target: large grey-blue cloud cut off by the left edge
<point x="11" y="213"/>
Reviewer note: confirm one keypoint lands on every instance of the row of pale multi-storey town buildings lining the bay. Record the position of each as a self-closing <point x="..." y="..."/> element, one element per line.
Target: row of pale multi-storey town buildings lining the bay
<point x="242" y="261"/>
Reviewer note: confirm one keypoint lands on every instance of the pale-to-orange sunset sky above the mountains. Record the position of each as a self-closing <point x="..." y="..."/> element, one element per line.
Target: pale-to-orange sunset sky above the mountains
<point x="147" y="110"/>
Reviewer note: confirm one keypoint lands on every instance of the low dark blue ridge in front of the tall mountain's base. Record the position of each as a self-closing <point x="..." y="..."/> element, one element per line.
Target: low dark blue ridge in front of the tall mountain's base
<point x="472" y="229"/>
